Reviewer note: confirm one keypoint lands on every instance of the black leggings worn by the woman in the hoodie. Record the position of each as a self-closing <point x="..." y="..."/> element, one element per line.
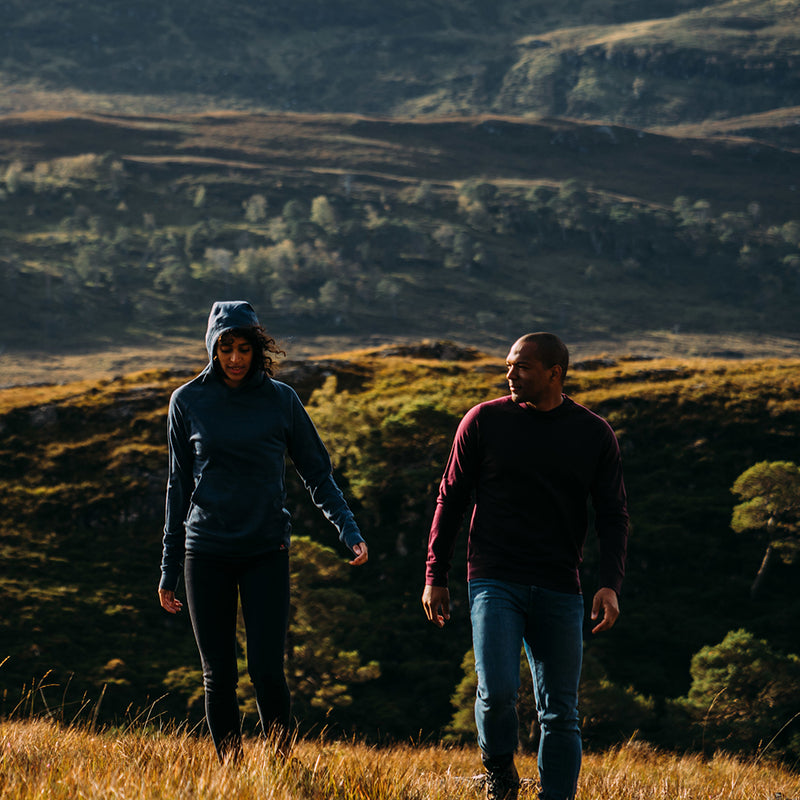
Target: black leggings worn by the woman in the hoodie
<point x="213" y="587"/>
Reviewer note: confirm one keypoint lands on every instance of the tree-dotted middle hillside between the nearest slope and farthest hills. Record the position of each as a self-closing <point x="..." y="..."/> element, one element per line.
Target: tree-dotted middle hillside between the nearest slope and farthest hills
<point x="120" y="231"/>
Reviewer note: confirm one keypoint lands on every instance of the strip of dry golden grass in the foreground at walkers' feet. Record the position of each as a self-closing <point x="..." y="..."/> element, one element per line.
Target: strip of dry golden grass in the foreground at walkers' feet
<point x="39" y="759"/>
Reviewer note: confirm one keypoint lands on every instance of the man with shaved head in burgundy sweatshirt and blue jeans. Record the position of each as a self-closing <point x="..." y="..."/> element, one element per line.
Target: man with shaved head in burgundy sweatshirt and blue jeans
<point x="530" y="462"/>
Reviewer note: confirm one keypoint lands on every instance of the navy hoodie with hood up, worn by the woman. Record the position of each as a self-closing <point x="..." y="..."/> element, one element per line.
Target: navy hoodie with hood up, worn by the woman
<point x="226" y="491"/>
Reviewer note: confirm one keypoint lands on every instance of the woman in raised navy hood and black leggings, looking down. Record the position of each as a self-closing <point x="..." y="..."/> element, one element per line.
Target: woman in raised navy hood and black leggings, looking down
<point x="227" y="527"/>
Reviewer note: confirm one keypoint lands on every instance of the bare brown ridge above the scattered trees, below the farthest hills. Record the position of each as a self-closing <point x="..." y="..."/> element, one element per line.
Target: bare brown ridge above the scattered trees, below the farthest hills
<point x="646" y="167"/>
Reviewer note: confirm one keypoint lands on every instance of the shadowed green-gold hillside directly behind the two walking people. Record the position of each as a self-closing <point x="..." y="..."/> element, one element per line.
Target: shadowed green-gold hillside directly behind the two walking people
<point x="82" y="478"/>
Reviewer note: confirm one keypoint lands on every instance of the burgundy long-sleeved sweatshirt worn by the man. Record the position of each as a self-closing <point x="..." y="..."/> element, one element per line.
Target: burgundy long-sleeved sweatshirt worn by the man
<point x="530" y="474"/>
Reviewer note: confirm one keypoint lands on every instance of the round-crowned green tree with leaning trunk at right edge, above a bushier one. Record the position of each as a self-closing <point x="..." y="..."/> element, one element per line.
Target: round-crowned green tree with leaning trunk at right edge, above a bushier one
<point x="770" y="491"/>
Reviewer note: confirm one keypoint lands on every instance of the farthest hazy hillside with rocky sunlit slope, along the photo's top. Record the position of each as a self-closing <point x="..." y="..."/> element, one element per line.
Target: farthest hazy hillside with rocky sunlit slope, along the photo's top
<point x="644" y="63"/>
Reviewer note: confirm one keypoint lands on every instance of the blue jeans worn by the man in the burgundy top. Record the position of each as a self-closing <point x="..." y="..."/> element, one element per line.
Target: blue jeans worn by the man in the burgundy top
<point x="506" y="616"/>
